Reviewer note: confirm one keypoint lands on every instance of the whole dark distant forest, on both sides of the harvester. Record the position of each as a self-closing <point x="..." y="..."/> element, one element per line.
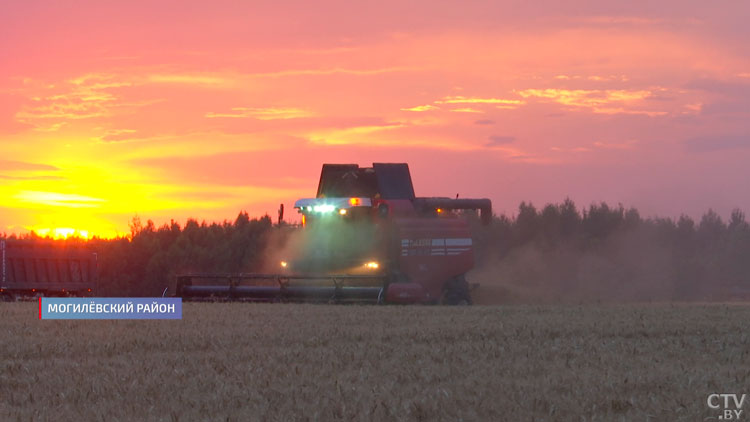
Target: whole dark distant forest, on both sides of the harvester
<point x="558" y="253"/>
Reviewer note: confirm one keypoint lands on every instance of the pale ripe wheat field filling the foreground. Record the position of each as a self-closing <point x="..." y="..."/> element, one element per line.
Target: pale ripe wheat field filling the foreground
<point x="240" y="361"/>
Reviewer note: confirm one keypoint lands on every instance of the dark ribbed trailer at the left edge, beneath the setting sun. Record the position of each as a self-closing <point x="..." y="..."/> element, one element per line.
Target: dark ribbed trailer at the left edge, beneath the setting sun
<point x="32" y="268"/>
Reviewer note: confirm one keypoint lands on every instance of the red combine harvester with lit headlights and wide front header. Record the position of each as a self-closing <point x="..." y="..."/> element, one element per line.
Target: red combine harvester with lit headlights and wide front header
<point x="365" y="237"/>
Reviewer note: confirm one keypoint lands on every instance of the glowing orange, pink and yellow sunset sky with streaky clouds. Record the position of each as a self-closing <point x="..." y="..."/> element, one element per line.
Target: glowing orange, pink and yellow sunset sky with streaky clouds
<point x="201" y="109"/>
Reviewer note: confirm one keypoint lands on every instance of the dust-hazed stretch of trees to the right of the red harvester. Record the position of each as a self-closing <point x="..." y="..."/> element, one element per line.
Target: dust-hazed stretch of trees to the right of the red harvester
<point x="605" y="253"/>
